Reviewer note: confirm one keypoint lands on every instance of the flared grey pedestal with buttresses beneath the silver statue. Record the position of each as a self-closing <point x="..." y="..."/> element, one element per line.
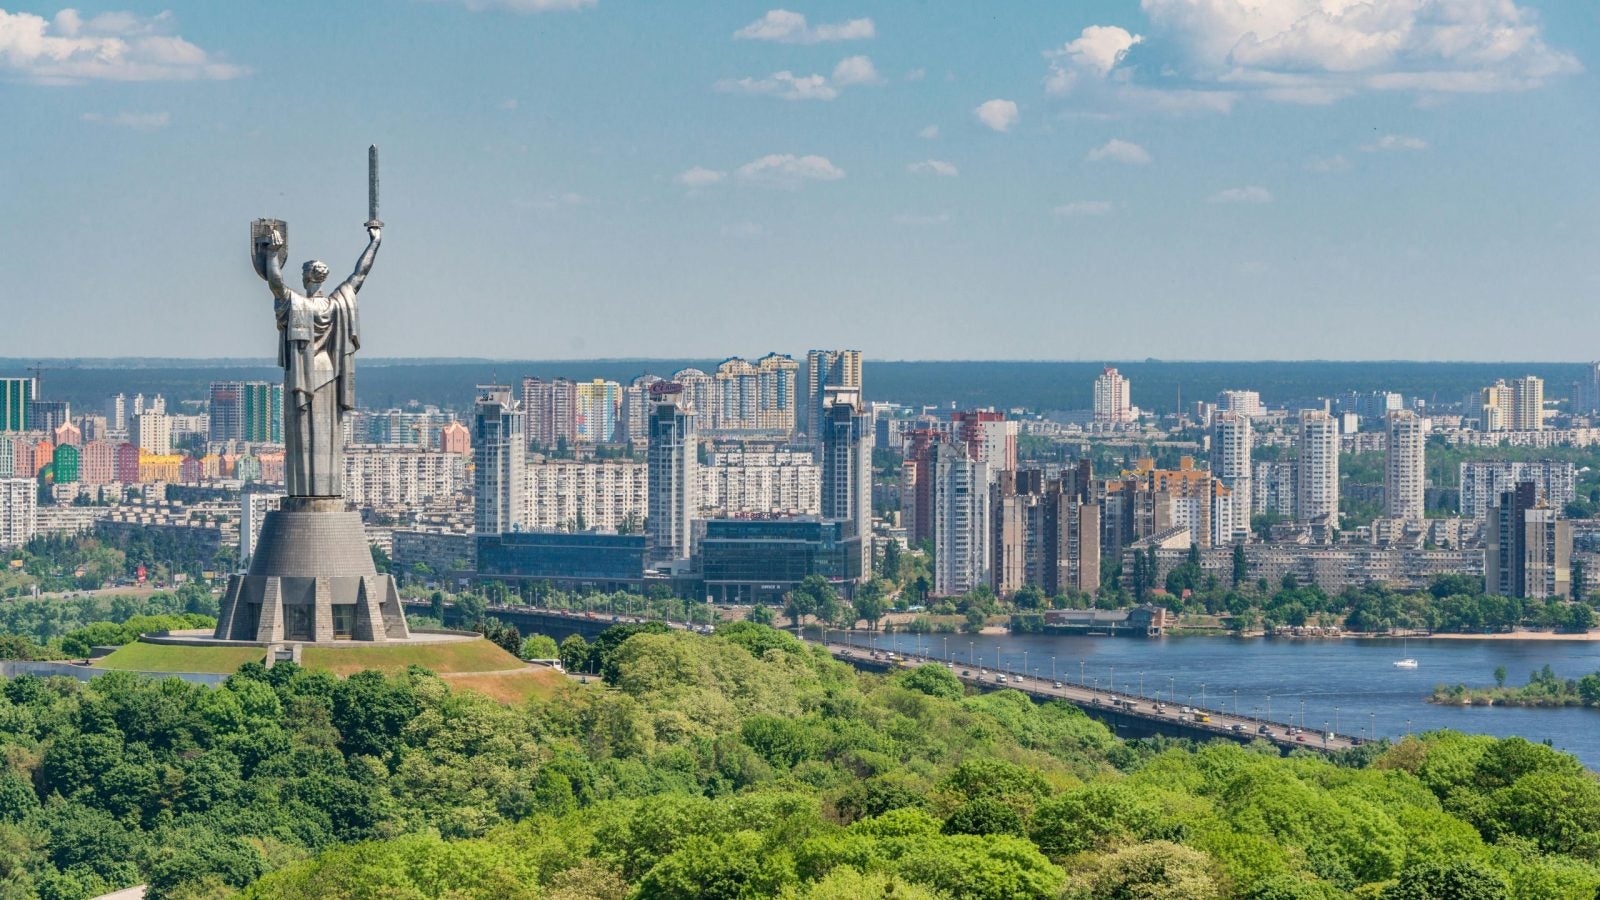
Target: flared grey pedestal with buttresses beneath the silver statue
<point x="313" y="581"/>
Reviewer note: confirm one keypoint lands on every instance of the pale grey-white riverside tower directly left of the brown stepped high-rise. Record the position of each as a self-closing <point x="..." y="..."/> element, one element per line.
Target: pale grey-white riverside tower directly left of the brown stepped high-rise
<point x="961" y="521"/>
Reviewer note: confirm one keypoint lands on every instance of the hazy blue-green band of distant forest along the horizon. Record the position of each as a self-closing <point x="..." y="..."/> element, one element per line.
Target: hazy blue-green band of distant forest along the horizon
<point x="1047" y="387"/>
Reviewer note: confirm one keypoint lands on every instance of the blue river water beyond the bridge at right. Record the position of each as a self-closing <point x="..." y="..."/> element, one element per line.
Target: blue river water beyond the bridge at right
<point x="1348" y="681"/>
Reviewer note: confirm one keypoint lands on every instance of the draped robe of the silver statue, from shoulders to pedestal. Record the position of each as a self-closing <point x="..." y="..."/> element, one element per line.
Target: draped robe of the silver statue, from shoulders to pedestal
<point x="319" y="337"/>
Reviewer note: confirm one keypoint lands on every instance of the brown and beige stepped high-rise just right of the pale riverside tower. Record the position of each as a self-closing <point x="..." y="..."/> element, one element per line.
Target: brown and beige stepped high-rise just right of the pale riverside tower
<point x="1046" y="532"/>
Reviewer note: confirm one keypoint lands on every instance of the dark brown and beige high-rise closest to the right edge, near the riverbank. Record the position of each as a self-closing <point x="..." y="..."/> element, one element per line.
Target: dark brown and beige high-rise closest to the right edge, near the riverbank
<point x="1530" y="547"/>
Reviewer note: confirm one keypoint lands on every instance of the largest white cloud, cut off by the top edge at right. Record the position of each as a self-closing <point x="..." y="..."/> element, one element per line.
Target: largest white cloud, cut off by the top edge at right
<point x="1318" y="50"/>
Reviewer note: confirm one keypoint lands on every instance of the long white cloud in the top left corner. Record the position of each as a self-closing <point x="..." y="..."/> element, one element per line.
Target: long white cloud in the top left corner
<point x="113" y="47"/>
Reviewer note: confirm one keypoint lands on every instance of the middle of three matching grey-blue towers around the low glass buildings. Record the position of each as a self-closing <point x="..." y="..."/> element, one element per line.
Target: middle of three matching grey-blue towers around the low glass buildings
<point x="673" y="459"/>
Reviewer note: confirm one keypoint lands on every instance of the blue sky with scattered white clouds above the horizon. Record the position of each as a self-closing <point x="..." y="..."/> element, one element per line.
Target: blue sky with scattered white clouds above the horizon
<point x="607" y="179"/>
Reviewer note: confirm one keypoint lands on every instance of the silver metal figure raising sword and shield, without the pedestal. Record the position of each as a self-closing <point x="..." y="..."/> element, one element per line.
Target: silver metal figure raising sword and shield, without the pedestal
<point x="318" y="342"/>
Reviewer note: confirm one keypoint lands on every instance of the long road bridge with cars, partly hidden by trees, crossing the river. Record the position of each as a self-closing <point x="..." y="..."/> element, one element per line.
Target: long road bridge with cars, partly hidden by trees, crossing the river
<point x="1129" y="715"/>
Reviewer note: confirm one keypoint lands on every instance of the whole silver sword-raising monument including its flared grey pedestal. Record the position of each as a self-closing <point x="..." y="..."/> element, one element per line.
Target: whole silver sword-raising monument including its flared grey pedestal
<point x="311" y="577"/>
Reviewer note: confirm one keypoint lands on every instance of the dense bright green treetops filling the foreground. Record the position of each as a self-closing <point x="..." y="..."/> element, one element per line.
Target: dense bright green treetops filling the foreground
<point x="740" y="765"/>
